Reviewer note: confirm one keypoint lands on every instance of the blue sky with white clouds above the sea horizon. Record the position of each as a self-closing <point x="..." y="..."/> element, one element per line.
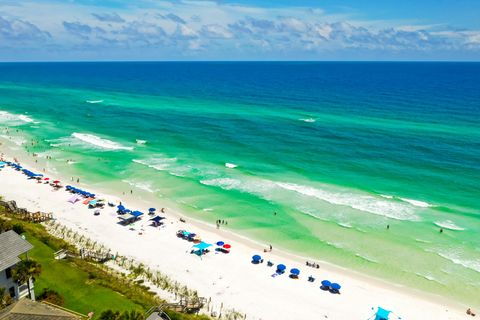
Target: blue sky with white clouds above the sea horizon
<point x="111" y="30"/>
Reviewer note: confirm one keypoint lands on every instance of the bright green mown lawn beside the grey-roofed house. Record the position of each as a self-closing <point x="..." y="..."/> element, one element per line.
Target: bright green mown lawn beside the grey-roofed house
<point x="76" y="287"/>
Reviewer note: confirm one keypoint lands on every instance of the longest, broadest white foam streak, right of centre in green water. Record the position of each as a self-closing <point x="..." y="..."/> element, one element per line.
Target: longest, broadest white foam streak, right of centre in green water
<point x="360" y="202"/>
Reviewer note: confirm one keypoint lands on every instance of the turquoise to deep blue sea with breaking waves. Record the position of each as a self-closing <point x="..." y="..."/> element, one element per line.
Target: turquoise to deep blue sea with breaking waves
<point x="338" y="150"/>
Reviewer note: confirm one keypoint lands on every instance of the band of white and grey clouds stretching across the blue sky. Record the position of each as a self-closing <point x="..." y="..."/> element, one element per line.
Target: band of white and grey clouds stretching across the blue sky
<point x="208" y="26"/>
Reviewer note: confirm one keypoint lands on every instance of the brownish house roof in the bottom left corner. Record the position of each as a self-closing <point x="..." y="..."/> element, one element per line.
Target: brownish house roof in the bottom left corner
<point x="26" y="309"/>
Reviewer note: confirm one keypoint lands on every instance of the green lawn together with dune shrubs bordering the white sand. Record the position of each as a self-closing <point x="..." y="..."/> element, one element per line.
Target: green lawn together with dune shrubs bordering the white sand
<point x="84" y="286"/>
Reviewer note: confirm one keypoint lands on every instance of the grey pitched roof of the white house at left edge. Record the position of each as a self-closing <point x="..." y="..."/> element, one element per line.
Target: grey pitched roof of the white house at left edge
<point x="11" y="246"/>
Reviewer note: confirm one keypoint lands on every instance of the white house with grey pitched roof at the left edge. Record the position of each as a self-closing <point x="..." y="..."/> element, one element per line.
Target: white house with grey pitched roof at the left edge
<point x="12" y="246"/>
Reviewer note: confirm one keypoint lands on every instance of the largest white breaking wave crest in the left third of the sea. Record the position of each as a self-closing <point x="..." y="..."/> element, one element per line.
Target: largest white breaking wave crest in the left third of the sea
<point x="90" y="141"/>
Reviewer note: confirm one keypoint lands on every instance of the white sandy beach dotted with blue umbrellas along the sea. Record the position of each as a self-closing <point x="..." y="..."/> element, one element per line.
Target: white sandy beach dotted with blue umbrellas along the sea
<point x="230" y="279"/>
